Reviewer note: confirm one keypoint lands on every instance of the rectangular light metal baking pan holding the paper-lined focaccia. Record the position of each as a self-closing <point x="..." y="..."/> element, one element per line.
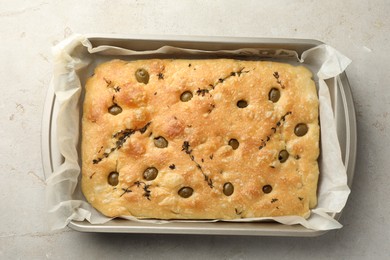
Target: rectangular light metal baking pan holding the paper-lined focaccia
<point x="342" y="103"/>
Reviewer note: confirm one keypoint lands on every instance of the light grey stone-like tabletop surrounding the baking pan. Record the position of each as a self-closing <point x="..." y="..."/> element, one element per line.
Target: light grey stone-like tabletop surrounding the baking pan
<point x="28" y="29"/>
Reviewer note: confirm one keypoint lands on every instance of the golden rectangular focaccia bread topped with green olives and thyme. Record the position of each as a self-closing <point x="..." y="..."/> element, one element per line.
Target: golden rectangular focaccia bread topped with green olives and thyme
<point x="200" y="139"/>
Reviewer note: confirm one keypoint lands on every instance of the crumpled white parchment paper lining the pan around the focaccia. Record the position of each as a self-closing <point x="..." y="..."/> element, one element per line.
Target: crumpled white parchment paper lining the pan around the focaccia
<point x="75" y="56"/>
